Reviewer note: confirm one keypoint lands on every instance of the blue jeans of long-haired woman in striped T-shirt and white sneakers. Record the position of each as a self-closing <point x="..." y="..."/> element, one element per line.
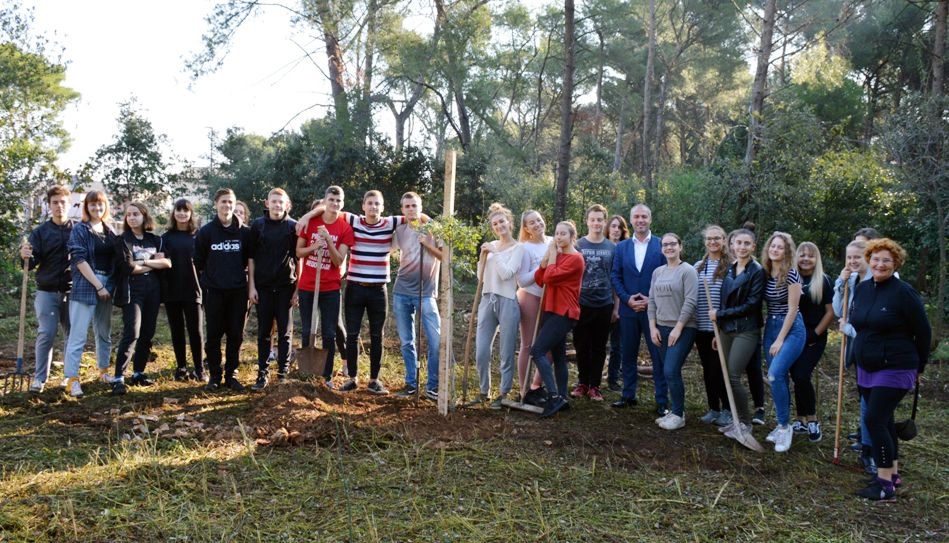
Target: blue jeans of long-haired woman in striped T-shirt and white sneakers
<point x="780" y="365"/>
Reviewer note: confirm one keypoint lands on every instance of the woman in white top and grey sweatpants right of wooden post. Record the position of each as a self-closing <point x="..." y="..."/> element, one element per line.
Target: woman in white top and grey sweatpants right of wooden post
<point x="498" y="308"/>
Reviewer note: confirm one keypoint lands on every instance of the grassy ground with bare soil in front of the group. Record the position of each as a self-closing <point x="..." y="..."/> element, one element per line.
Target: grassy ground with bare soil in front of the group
<point x="384" y="471"/>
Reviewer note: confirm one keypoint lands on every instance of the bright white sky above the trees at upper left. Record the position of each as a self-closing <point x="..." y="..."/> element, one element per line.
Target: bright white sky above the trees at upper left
<point x="117" y="50"/>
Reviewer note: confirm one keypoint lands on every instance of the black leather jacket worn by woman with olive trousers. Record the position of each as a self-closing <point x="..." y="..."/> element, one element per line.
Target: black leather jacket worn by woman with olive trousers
<point x="740" y="306"/>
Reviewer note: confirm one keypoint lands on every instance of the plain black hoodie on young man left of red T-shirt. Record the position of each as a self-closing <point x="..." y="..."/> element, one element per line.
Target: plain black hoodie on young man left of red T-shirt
<point x="274" y="250"/>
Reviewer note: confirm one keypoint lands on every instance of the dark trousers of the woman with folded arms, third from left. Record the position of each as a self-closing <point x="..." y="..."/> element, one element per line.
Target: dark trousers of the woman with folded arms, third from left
<point x="139" y="318"/>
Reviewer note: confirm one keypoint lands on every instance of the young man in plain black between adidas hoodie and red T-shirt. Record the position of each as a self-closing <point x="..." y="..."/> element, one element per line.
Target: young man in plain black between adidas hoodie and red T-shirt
<point x="273" y="270"/>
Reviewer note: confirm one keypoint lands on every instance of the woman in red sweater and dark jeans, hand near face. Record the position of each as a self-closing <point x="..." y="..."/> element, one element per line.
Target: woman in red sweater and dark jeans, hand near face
<point x="560" y="273"/>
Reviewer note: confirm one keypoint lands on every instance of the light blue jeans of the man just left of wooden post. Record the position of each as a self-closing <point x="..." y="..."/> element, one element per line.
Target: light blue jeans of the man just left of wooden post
<point x="406" y="307"/>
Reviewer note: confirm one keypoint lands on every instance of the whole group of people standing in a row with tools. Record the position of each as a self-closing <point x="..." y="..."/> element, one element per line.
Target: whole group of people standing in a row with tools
<point x="608" y="287"/>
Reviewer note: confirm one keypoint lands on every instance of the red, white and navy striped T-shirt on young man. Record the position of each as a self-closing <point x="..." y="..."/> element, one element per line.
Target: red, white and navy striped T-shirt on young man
<point x="369" y="257"/>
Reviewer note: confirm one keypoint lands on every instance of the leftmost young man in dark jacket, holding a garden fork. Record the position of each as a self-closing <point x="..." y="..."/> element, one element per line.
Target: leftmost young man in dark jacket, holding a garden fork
<point x="46" y="251"/>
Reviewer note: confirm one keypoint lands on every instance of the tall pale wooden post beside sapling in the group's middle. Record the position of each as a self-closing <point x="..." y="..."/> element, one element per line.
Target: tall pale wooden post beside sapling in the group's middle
<point x="446" y="362"/>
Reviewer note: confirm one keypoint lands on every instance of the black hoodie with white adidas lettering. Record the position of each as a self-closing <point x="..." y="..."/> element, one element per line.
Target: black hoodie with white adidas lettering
<point x="220" y="254"/>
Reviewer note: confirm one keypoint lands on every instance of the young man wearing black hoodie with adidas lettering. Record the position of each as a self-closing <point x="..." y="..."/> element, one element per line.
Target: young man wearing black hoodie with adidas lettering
<point x="221" y="251"/>
